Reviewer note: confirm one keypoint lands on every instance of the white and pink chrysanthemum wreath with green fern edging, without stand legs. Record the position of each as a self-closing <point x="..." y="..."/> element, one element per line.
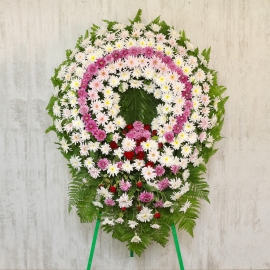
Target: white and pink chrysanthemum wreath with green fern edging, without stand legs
<point x="137" y="111"/>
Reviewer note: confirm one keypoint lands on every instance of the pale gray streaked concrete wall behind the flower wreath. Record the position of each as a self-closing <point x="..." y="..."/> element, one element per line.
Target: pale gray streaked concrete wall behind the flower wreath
<point x="36" y="232"/>
